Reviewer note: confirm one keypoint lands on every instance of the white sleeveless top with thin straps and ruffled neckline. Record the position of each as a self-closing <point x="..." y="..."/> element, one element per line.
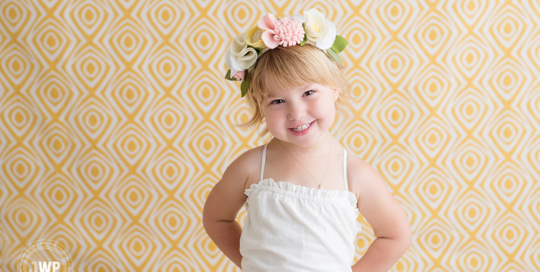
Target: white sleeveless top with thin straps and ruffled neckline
<point x="290" y="227"/>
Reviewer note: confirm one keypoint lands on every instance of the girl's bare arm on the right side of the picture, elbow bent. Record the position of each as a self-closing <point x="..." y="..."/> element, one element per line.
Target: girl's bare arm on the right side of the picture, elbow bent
<point x="385" y="215"/>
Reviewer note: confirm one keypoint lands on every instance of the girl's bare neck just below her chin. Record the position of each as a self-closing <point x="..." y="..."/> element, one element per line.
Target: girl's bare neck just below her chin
<point x="319" y="148"/>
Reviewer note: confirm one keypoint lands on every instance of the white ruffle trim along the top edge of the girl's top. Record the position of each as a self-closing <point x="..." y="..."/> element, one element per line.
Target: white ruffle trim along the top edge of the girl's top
<point x="290" y="189"/>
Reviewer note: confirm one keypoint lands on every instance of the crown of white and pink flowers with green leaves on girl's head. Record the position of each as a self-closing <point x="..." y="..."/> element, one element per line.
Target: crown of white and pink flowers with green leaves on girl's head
<point x="312" y="28"/>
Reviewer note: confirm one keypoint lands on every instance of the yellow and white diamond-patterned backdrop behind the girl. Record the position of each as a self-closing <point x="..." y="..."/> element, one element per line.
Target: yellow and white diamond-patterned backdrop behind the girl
<point x="116" y="122"/>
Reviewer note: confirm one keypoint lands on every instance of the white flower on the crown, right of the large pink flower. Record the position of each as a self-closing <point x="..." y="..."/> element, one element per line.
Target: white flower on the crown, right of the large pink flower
<point x="320" y="31"/>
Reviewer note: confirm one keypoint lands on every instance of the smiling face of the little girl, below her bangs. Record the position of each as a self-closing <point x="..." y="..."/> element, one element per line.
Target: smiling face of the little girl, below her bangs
<point x="304" y="105"/>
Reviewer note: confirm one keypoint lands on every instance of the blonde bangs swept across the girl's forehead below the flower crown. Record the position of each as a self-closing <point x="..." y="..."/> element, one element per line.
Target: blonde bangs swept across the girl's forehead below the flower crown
<point x="286" y="68"/>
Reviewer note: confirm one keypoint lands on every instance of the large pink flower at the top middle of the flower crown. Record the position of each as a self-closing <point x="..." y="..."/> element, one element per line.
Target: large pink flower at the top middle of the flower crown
<point x="284" y="32"/>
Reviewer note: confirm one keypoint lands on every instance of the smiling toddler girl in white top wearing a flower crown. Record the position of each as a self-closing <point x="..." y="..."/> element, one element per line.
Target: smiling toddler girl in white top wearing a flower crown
<point x="302" y="191"/>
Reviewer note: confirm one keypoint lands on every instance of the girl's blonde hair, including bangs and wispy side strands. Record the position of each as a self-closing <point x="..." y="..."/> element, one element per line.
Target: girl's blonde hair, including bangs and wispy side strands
<point x="286" y="68"/>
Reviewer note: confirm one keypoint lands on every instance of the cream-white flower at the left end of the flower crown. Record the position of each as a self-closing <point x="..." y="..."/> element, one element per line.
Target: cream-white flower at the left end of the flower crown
<point x="239" y="57"/>
